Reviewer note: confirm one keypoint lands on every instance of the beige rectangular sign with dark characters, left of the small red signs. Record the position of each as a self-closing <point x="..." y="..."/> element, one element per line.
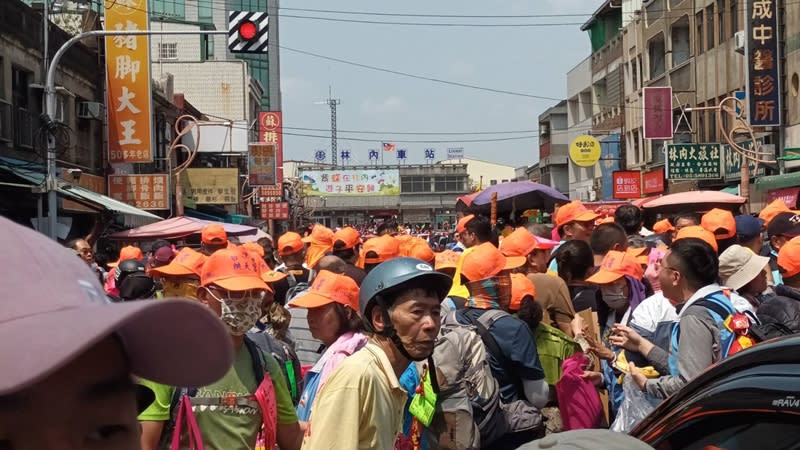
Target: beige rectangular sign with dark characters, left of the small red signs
<point x="211" y="186"/>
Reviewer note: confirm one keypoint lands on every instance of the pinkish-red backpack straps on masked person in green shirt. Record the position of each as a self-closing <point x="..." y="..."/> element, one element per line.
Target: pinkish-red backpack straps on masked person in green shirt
<point x="260" y="371"/>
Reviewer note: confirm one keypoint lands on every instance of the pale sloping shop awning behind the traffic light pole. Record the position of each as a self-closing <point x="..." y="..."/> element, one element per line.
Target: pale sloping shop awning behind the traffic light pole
<point x="132" y="217"/>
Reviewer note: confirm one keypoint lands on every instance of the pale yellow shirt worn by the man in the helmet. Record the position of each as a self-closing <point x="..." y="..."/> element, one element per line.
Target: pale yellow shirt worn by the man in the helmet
<point x="359" y="407"/>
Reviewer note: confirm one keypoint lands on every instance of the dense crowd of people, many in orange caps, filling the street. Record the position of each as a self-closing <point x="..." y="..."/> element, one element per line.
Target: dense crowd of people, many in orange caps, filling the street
<point x="384" y="338"/>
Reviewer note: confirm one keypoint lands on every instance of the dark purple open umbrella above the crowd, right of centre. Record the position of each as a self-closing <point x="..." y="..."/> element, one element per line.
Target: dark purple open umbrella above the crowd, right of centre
<point x="519" y="196"/>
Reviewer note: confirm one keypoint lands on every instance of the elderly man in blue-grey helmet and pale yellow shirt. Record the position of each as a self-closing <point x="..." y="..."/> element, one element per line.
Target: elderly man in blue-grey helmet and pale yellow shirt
<point x="361" y="405"/>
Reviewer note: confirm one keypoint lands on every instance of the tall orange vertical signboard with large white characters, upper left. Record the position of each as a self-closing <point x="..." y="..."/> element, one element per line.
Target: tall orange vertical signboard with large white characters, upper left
<point x="128" y="76"/>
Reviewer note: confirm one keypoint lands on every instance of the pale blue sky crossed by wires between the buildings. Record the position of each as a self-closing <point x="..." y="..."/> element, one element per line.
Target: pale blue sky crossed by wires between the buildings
<point x="531" y="60"/>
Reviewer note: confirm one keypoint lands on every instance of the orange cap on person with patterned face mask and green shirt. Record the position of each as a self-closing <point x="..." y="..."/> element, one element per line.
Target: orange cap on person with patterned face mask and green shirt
<point x="233" y="269"/>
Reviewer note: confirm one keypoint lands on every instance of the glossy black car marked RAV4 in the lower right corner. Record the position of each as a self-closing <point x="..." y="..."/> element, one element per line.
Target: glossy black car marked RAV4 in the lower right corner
<point x="749" y="401"/>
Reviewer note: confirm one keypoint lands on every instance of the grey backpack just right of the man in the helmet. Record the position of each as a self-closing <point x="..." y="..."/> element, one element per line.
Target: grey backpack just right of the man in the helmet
<point x="470" y="414"/>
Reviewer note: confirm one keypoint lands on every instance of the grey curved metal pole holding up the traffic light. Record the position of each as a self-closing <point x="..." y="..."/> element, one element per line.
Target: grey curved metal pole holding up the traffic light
<point x="51" y="183"/>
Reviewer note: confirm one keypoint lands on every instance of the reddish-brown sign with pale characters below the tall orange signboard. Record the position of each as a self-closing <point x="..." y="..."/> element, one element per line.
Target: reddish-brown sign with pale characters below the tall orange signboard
<point x="142" y="191"/>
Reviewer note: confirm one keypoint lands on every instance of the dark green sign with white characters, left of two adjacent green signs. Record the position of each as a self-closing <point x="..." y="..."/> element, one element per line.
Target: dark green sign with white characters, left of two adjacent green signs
<point x="694" y="161"/>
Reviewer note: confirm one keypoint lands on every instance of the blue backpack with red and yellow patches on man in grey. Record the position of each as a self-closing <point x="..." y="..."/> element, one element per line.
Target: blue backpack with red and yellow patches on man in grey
<point x="734" y="329"/>
